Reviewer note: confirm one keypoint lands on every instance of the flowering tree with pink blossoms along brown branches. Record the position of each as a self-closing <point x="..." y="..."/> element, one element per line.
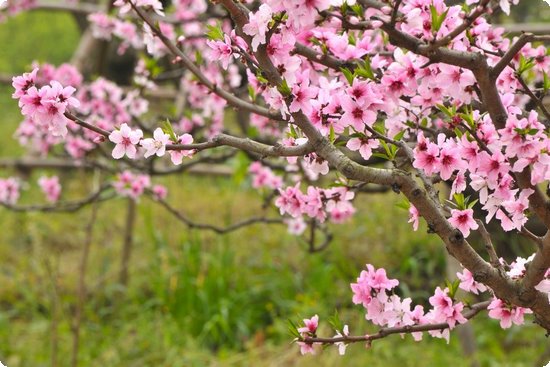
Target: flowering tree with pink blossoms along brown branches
<point x="403" y="94"/>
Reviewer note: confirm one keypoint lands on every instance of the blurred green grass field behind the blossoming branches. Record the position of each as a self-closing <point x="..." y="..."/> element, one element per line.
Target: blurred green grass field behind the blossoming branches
<point x="194" y="298"/>
